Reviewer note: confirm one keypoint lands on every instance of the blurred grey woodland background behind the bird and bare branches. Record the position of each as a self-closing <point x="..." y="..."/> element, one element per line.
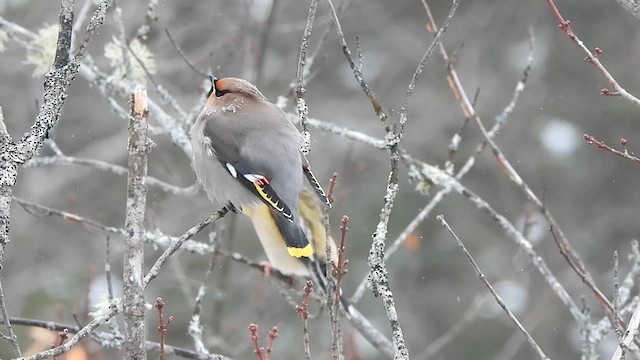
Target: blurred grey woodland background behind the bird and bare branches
<point x="52" y="266"/>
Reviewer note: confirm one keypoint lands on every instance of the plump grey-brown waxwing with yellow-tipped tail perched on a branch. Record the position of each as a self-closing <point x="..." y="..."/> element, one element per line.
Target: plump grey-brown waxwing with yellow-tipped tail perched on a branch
<point x="247" y="156"/>
